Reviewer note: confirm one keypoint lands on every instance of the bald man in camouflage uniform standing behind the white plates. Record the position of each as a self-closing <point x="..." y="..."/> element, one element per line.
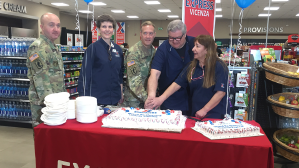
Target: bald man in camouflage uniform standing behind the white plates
<point x="45" y="66"/>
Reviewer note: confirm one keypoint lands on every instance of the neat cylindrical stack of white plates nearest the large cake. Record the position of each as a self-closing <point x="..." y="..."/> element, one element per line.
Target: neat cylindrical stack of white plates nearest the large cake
<point x="86" y="109"/>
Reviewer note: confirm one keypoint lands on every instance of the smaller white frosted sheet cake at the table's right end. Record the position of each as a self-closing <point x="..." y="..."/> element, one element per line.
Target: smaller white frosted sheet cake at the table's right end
<point x="225" y="129"/>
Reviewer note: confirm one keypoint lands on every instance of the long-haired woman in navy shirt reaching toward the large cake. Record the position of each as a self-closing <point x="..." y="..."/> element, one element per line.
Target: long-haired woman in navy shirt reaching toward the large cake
<point x="206" y="77"/>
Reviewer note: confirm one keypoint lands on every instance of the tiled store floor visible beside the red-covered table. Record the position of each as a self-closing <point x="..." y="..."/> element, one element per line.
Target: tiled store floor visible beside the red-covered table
<point x="17" y="149"/>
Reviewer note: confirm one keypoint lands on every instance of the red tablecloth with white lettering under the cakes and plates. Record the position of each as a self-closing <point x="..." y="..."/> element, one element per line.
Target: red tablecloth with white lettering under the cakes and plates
<point x="76" y="145"/>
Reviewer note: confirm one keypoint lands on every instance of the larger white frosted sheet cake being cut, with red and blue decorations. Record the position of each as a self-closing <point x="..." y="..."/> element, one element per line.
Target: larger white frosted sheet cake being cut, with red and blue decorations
<point x="157" y="120"/>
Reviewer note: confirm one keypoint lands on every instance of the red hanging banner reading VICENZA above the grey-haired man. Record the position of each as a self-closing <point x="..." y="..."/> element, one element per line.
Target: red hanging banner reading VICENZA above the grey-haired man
<point x="199" y="17"/>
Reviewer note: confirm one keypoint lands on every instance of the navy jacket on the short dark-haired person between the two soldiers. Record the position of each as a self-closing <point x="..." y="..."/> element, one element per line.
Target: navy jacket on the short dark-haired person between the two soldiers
<point x="101" y="77"/>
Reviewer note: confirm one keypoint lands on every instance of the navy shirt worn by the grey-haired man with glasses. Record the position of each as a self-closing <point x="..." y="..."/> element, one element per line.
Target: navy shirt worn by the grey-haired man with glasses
<point x="170" y="64"/>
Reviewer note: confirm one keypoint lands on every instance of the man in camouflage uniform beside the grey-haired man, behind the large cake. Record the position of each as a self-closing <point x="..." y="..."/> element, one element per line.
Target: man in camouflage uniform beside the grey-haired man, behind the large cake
<point x="137" y="63"/>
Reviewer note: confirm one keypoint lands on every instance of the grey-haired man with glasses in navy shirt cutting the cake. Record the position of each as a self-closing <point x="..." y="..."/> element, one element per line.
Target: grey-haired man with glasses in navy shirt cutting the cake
<point x="170" y="59"/>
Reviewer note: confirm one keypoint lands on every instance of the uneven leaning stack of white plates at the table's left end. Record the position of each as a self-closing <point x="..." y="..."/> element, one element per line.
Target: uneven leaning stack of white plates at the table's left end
<point x="55" y="112"/>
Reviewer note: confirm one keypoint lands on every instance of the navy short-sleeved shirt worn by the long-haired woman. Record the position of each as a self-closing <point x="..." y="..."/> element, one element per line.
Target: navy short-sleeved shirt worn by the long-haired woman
<point x="201" y="96"/>
